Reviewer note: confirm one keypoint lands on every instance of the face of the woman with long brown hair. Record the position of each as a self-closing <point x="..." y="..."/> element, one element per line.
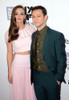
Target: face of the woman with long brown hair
<point x="20" y="15"/>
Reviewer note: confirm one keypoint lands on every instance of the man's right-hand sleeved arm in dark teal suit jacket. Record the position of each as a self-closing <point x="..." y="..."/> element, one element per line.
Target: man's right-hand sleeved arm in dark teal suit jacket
<point x="61" y="57"/>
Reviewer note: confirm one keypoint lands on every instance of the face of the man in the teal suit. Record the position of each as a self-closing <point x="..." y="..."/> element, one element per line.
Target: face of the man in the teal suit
<point x="38" y="18"/>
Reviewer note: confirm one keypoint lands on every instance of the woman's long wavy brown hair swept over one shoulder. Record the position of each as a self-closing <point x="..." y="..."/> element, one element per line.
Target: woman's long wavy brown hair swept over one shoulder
<point x="13" y="29"/>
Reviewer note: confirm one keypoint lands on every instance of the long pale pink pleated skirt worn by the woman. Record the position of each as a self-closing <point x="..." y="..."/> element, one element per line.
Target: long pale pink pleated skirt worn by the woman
<point x="21" y="89"/>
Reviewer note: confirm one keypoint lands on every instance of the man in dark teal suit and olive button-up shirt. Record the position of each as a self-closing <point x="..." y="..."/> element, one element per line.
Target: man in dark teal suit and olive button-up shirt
<point x="48" y="57"/>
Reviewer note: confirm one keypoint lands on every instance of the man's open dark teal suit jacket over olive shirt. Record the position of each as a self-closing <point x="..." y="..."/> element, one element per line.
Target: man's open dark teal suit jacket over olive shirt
<point x="53" y="52"/>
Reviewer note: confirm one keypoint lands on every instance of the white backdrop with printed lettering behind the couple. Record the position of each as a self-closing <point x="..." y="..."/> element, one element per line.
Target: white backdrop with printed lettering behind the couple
<point x="58" y="19"/>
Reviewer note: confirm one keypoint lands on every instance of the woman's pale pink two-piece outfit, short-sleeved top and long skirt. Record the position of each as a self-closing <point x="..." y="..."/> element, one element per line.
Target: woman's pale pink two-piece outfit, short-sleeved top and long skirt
<point x="21" y="89"/>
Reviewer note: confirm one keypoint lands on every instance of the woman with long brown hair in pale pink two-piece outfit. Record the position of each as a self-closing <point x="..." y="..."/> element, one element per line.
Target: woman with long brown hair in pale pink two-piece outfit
<point x="18" y="40"/>
